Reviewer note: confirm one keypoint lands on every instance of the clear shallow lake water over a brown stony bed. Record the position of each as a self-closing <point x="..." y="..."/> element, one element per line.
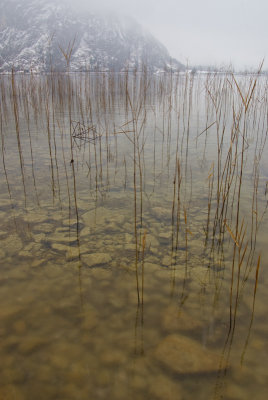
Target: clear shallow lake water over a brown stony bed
<point x="109" y="287"/>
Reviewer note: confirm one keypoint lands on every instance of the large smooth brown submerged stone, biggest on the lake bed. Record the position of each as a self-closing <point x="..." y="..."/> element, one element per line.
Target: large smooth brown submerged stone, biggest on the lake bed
<point x="183" y="355"/>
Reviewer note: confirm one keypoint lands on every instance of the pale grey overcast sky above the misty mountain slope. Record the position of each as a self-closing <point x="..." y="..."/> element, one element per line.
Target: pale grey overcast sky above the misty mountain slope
<point x="219" y="32"/>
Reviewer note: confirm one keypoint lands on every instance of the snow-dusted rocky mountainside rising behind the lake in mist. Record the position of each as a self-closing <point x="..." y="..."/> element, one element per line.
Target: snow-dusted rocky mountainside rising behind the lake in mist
<point x="35" y="34"/>
